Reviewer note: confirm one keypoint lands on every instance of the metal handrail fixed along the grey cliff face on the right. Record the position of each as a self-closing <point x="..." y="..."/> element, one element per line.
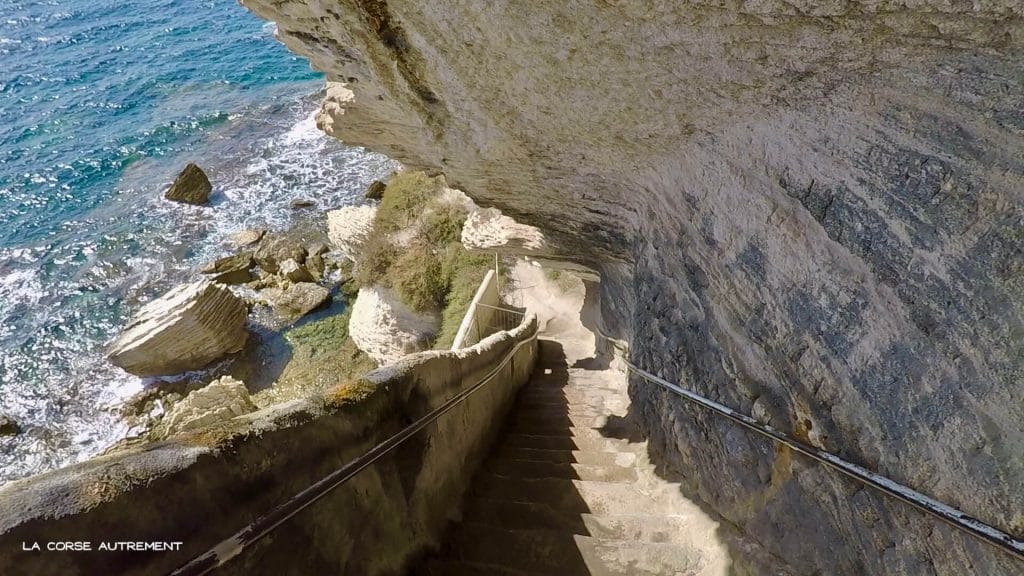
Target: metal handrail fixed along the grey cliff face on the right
<point x="946" y="513"/>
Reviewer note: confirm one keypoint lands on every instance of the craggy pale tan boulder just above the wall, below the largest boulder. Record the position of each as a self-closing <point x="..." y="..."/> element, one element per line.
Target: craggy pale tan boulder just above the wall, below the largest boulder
<point x="221" y="401"/>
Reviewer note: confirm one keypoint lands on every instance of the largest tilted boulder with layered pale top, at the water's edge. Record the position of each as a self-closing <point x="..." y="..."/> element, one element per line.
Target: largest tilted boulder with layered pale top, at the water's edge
<point x="186" y="330"/>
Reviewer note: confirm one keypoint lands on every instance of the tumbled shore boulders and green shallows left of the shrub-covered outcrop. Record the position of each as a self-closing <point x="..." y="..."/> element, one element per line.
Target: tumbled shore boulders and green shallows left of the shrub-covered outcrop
<point x="238" y="338"/>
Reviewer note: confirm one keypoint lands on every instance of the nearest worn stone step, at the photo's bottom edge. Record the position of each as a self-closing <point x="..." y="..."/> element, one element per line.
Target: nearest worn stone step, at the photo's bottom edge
<point x="571" y="555"/>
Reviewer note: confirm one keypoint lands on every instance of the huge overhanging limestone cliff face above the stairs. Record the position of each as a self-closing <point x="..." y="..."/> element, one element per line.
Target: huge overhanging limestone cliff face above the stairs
<point x="808" y="211"/>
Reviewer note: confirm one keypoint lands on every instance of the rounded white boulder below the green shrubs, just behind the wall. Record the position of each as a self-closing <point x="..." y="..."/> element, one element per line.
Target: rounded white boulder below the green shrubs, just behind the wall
<point x="387" y="330"/>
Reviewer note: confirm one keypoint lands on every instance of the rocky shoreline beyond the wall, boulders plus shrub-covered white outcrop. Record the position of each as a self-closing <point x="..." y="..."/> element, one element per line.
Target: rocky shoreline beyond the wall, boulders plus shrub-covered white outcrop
<point x="285" y="314"/>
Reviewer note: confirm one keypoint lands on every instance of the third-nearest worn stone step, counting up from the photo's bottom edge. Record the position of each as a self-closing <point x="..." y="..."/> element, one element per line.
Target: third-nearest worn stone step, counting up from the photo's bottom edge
<point x="572" y="496"/>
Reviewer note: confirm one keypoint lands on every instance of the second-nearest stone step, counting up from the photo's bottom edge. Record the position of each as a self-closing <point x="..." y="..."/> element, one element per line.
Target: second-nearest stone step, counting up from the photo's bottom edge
<point x="530" y="516"/>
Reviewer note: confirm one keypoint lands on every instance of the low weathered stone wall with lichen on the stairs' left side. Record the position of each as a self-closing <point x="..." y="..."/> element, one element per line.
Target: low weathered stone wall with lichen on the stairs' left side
<point x="201" y="488"/>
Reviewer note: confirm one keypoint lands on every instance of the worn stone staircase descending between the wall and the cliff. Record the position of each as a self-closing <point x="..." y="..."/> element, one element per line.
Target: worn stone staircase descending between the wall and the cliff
<point x="568" y="490"/>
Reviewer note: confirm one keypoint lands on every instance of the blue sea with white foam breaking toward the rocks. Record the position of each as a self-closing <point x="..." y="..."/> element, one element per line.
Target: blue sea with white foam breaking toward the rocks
<point x="102" y="104"/>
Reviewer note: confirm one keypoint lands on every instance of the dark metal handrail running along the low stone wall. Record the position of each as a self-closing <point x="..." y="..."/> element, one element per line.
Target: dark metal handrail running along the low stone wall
<point x="233" y="547"/>
